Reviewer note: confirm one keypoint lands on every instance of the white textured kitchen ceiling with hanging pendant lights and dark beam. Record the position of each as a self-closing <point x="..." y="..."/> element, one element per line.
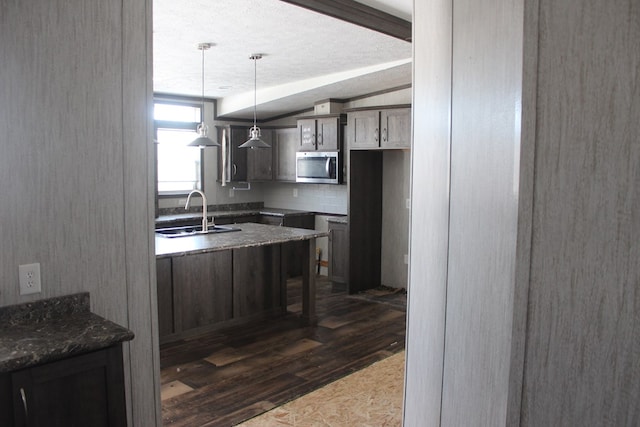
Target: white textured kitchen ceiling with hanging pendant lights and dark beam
<point x="307" y="56"/>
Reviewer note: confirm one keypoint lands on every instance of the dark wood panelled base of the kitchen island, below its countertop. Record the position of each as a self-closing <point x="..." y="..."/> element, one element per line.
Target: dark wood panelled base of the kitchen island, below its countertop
<point x="206" y="291"/>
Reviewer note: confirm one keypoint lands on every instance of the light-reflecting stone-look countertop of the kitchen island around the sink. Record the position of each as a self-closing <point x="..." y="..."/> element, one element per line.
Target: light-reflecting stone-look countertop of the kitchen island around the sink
<point x="250" y="234"/>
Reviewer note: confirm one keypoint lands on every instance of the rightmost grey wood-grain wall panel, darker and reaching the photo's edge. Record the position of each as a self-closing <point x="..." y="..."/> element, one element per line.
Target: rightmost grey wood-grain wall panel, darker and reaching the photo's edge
<point x="582" y="365"/>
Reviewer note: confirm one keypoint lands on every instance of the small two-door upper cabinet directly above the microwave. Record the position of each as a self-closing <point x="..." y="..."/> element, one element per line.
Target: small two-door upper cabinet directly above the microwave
<point x="320" y="133"/>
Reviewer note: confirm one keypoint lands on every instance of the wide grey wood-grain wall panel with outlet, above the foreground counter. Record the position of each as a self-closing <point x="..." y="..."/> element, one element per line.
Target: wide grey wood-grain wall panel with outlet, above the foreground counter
<point x="61" y="113"/>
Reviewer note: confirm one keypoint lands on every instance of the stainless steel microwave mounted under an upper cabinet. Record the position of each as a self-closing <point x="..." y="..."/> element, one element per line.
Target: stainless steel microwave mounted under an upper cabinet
<point x="320" y="167"/>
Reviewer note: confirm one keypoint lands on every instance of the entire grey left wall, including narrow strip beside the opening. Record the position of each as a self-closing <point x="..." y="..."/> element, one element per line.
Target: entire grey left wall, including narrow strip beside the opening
<point x="75" y="169"/>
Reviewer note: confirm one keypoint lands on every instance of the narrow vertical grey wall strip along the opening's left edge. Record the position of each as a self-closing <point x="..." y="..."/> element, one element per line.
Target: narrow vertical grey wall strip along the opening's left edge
<point x="139" y="211"/>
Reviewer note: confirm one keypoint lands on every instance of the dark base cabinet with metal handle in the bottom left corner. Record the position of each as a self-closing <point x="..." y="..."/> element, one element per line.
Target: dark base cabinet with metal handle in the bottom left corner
<point x="84" y="390"/>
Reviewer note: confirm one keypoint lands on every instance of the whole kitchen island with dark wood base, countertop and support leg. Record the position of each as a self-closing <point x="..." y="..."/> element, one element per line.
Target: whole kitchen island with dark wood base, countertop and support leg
<point x="210" y="281"/>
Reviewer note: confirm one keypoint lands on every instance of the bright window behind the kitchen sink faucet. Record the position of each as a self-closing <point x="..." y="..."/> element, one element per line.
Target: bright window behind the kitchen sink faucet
<point x="178" y="167"/>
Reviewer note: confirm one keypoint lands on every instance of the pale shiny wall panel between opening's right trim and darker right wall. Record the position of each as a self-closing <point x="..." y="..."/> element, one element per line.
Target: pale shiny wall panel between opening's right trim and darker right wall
<point x="485" y="144"/>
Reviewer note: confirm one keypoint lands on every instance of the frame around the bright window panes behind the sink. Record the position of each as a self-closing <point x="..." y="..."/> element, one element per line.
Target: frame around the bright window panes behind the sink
<point x="168" y="124"/>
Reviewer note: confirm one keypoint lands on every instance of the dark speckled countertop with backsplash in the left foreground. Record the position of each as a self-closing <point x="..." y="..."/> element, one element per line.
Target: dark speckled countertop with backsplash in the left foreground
<point x="52" y="329"/>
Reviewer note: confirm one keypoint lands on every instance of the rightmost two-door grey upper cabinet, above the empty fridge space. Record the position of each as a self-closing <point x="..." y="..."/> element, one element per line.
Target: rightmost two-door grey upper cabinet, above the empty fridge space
<point x="379" y="128"/>
